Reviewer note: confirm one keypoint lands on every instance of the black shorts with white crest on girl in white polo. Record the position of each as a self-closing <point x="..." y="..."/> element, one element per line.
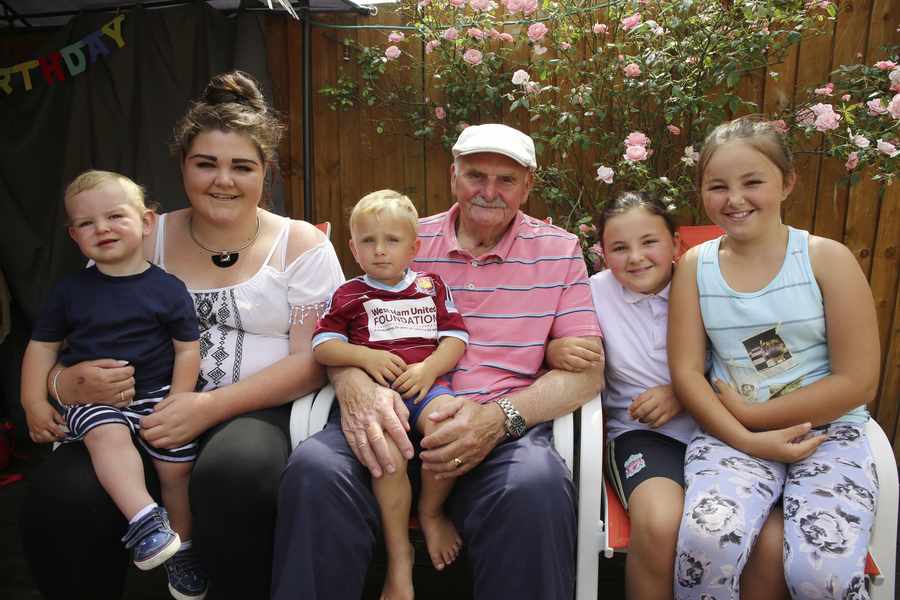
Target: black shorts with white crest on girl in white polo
<point x="636" y="456"/>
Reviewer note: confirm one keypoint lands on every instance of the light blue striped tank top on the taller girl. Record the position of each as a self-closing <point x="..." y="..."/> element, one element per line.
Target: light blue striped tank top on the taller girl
<point x="772" y="341"/>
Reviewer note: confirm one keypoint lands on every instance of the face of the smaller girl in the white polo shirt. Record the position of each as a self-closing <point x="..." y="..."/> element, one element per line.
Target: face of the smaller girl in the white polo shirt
<point x="639" y="250"/>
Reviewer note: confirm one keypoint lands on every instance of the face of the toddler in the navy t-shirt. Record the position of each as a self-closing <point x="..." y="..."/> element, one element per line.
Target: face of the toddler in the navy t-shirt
<point x="109" y="227"/>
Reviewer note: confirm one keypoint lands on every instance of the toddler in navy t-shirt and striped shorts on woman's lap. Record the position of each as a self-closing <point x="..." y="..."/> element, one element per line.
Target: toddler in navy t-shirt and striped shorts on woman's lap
<point x="126" y="308"/>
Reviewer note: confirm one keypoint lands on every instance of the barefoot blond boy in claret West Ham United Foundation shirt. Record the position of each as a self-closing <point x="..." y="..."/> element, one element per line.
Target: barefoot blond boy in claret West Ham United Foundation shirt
<point x="402" y="328"/>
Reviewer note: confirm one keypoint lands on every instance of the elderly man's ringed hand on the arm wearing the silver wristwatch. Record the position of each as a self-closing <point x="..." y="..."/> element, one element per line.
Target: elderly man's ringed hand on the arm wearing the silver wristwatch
<point x="467" y="431"/>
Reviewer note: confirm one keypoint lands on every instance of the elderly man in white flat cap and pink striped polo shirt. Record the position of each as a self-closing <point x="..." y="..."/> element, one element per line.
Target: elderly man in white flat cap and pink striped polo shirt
<point x="519" y="283"/>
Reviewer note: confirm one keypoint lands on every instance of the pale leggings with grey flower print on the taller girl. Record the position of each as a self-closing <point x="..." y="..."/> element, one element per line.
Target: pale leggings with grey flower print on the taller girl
<point x="829" y="506"/>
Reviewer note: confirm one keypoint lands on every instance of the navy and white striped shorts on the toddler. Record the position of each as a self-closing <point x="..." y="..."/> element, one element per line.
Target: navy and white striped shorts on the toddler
<point x="82" y="418"/>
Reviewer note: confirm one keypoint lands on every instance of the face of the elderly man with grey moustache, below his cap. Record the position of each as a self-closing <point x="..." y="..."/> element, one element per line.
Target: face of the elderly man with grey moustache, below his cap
<point x="490" y="189"/>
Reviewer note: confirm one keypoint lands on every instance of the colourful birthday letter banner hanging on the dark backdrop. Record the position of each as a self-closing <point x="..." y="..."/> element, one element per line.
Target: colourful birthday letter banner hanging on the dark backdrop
<point x="72" y="56"/>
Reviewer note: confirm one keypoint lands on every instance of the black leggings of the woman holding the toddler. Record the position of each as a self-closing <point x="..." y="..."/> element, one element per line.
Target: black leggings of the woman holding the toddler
<point x="71" y="529"/>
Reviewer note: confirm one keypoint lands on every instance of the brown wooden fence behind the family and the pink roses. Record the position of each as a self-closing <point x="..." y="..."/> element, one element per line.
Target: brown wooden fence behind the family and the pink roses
<point x="350" y="158"/>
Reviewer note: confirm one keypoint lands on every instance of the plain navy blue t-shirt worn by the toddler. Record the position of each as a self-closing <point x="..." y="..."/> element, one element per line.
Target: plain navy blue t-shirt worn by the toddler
<point x="133" y="318"/>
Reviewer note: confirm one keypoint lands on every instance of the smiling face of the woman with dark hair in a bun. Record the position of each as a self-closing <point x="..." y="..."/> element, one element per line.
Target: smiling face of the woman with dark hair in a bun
<point x="223" y="176"/>
